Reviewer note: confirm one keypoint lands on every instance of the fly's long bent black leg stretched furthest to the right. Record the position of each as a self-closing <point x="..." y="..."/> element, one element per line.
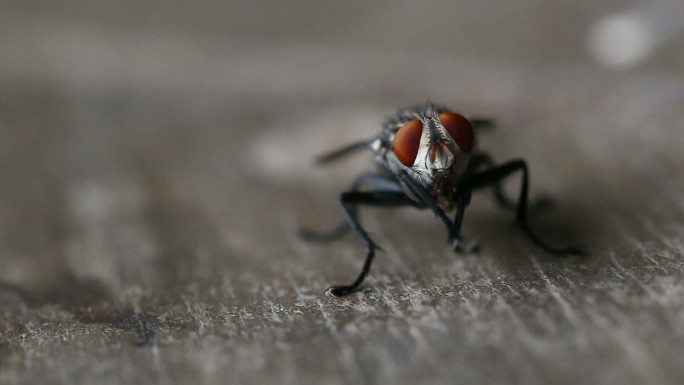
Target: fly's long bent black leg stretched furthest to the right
<point x="496" y="175"/>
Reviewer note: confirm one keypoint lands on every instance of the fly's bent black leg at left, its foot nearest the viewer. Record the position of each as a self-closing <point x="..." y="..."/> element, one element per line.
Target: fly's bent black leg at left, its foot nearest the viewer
<point x="349" y="201"/>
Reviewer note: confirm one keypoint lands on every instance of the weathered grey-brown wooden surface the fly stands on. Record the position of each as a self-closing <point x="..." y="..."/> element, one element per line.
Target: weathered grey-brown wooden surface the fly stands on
<point x="154" y="174"/>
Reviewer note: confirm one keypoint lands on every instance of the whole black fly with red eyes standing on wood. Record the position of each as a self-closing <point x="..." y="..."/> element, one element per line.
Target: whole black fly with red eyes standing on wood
<point x="427" y="157"/>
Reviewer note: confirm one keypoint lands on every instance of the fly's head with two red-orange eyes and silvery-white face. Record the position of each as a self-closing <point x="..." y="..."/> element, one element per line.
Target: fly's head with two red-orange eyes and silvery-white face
<point x="436" y="148"/>
